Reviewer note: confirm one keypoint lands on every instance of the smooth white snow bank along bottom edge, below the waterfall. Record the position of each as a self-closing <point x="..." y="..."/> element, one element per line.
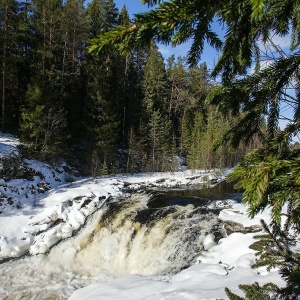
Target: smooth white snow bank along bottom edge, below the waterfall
<point x="204" y="281"/>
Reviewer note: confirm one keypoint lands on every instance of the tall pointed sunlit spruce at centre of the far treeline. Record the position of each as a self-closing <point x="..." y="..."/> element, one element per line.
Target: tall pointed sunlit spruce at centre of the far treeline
<point x="155" y="117"/>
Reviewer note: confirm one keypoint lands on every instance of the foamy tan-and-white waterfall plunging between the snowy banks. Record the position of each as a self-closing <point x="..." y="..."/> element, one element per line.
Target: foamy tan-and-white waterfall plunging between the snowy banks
<point x="130" y="238"/>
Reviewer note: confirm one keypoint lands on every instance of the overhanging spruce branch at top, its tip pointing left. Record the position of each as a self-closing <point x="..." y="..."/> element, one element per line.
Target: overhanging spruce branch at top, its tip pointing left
<point x="172" y="22"/>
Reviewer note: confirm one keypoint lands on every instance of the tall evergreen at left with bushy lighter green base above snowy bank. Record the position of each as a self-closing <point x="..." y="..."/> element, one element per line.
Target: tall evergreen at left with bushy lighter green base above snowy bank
<point x="45" y="99"/>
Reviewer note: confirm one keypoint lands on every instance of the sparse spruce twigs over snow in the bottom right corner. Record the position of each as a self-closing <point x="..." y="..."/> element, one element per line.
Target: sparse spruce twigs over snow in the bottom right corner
<point x="275" y="249"/>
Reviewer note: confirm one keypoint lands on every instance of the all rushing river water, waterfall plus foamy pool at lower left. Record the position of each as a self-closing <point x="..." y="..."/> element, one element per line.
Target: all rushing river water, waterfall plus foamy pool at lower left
<point x="158" y="235"/>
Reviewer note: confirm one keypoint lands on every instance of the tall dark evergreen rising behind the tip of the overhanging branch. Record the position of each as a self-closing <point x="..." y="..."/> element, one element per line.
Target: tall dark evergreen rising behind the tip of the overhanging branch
<point x="102" y="93"/>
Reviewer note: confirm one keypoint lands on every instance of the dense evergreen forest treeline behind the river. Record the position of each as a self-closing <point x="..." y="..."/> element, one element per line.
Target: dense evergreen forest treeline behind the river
<point x="105" y="114"/>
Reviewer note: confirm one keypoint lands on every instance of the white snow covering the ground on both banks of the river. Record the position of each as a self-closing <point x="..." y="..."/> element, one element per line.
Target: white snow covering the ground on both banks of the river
<point x="38" y="212"/>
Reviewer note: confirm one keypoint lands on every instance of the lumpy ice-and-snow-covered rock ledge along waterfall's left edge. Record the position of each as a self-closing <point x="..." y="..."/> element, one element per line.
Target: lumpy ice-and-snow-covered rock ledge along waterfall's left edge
<point x="45" y="231"/>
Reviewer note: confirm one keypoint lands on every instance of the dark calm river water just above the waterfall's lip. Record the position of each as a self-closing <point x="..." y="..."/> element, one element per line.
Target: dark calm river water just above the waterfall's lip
<point x="197" y="195"/>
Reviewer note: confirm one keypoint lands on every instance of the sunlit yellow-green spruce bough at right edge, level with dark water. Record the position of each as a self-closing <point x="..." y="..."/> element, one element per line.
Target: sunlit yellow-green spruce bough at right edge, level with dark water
<point x="269" y="181"/>
